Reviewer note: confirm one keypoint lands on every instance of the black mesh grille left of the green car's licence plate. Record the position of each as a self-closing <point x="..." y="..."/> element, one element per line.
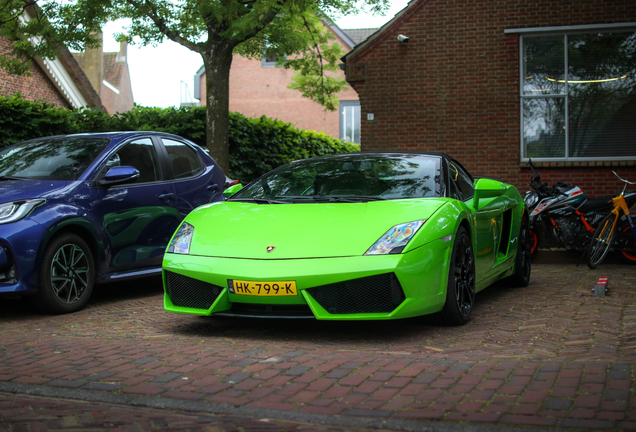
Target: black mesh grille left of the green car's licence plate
<point x="188" y="292"/>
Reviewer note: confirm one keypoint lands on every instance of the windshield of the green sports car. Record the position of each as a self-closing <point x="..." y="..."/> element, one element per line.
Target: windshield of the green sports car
<point x="349" y="178"/>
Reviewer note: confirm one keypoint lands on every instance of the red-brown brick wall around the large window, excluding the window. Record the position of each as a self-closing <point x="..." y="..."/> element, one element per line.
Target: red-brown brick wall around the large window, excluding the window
<point x="454" y="87"/>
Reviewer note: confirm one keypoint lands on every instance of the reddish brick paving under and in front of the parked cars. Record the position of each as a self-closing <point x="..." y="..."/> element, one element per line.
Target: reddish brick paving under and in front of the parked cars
<point x="475" y="372"/>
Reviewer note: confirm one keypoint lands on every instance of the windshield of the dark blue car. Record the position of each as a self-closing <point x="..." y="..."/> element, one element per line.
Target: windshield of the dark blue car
<point x="62" y="158"/>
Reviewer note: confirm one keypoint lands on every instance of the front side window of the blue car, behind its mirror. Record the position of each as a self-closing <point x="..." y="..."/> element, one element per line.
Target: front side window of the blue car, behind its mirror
<point x="139" y="154"/>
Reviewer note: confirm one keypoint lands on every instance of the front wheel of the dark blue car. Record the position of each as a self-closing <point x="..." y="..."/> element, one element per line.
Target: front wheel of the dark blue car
<point x="66" y="277"/>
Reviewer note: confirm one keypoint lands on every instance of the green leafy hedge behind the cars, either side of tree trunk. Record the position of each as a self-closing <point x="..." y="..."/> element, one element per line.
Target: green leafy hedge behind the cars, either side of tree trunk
<point x="256" y="145"/>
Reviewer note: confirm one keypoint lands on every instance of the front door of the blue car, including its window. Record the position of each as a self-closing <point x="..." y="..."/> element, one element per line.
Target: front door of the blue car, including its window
<point x="140" y="216"/>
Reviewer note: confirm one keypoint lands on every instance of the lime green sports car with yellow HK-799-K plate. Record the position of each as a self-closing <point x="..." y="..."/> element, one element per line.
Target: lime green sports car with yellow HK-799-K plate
<point x="351" y="237"/>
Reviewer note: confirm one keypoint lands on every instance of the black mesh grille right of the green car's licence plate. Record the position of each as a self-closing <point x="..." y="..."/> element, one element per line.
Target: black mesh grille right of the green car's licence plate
<point x="372" y="294"/>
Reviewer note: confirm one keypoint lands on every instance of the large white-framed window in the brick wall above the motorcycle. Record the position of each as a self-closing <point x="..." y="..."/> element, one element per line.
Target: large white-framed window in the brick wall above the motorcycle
<point x="578" y="96"/>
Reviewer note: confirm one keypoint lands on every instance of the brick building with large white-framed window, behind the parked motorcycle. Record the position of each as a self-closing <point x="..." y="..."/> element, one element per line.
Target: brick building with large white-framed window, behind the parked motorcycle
<point x="496" y="83"/>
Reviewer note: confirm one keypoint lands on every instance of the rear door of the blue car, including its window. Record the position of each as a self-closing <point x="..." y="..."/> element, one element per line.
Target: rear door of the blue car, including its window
<point x="195" y="182"/>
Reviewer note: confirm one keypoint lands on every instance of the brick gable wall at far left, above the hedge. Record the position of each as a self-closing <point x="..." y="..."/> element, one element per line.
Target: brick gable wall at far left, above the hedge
<point x="38" y="86"/>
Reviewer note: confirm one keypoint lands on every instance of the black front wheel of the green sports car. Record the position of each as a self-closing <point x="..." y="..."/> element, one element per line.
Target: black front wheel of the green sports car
<point x="460" y="292"/>
